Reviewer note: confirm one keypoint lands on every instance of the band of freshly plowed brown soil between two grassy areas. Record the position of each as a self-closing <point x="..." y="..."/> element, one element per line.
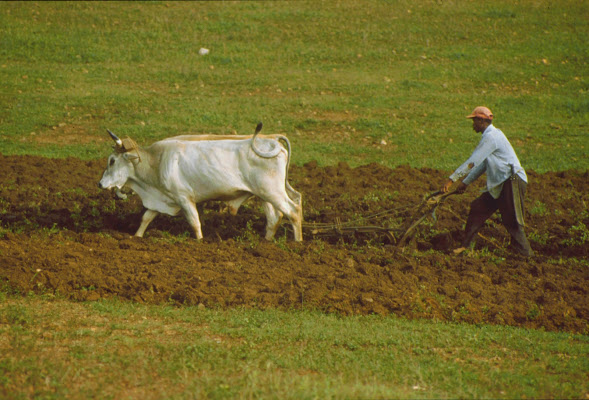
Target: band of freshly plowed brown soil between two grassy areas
<point x="60" y="234"/>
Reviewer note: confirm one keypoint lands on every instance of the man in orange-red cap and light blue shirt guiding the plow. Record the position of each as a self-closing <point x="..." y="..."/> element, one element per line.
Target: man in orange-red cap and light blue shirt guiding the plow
<point x="506" y="183"/>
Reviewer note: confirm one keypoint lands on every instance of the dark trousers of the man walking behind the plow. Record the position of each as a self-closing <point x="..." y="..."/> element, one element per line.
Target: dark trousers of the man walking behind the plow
<point x="485" y="205"/>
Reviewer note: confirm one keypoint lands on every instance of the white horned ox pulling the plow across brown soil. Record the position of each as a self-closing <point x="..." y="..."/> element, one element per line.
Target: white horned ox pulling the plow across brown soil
<point x="177" y="173"/>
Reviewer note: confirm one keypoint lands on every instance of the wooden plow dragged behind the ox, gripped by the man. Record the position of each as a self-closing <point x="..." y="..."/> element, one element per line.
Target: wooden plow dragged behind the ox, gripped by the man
<point x="399" y="236"/>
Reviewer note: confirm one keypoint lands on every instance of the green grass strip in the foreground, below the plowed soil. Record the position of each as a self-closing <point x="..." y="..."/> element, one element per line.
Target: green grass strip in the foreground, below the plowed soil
<point x="110" y="349"/>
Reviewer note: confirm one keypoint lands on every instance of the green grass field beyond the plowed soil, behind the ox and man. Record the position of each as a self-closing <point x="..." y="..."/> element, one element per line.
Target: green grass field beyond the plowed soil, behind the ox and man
<point x="340" y="78"/>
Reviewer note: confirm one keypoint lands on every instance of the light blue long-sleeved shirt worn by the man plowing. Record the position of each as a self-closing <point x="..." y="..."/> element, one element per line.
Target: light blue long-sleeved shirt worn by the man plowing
<point x="495" y="156"/>
